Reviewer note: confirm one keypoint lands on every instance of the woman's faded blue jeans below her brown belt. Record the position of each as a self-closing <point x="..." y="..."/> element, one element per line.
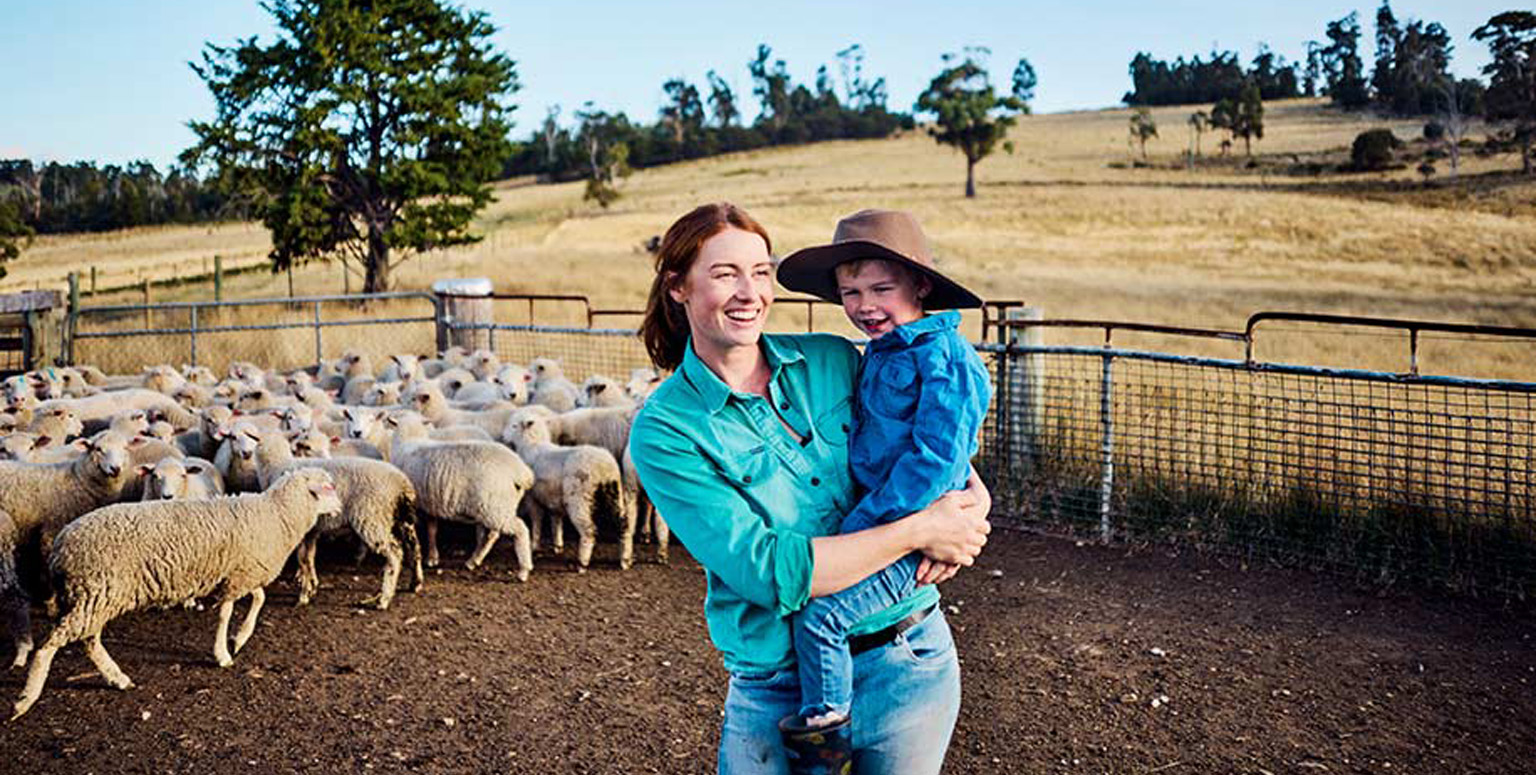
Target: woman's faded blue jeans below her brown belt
<point x="907" y="699"/>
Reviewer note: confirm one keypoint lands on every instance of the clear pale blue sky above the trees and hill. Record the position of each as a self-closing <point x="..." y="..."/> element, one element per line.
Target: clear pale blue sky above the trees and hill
<point x="108" y="79"/>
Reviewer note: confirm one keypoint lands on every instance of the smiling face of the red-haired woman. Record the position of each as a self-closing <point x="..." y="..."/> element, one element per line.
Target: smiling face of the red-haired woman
<point x="727" y="292"/>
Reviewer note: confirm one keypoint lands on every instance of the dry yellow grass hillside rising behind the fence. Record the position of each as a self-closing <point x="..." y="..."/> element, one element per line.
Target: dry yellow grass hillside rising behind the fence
<point x="1053" y="225"/>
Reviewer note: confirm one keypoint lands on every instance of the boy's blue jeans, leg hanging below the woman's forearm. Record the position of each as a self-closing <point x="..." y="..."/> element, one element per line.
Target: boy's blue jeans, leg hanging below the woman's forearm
<point x="821" y="635"/>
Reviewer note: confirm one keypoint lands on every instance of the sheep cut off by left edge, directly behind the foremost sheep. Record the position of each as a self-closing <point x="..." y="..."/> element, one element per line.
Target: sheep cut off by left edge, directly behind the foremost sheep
<point x="39" y="500"/>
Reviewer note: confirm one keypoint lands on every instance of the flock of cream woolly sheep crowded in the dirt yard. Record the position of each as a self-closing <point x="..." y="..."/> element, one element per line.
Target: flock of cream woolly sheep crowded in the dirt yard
<point x="121" y="493"/>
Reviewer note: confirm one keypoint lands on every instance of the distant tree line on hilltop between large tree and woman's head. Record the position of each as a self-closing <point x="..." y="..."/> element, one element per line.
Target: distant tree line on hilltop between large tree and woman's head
<point x="701" y="122"/>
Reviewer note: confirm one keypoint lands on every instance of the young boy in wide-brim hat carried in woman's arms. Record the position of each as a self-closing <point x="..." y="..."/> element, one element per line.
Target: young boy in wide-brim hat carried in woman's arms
<point x="922" y="398"/>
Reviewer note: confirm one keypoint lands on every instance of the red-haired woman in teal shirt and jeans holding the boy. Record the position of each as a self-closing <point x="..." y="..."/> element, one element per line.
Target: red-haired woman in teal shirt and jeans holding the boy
<point x="744" y="450"/>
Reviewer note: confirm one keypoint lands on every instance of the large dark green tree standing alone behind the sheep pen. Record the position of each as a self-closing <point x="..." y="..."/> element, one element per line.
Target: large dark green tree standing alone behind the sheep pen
<point x="366" y="128"/>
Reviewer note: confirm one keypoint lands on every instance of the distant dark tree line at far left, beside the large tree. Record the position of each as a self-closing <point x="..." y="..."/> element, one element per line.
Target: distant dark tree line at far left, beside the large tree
<point x="82" y="197"/>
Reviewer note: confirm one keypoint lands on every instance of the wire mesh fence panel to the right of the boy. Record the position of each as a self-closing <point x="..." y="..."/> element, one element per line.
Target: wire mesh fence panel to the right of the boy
<point x="1374" y="475"/>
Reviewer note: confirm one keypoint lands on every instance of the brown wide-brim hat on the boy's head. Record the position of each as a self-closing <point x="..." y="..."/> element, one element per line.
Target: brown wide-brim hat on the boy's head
<point x="892" y="236"/>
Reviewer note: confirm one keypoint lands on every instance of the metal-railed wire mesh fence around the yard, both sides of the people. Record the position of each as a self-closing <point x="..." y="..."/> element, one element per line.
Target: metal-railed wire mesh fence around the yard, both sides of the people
<point x="1379" y="475"/>
